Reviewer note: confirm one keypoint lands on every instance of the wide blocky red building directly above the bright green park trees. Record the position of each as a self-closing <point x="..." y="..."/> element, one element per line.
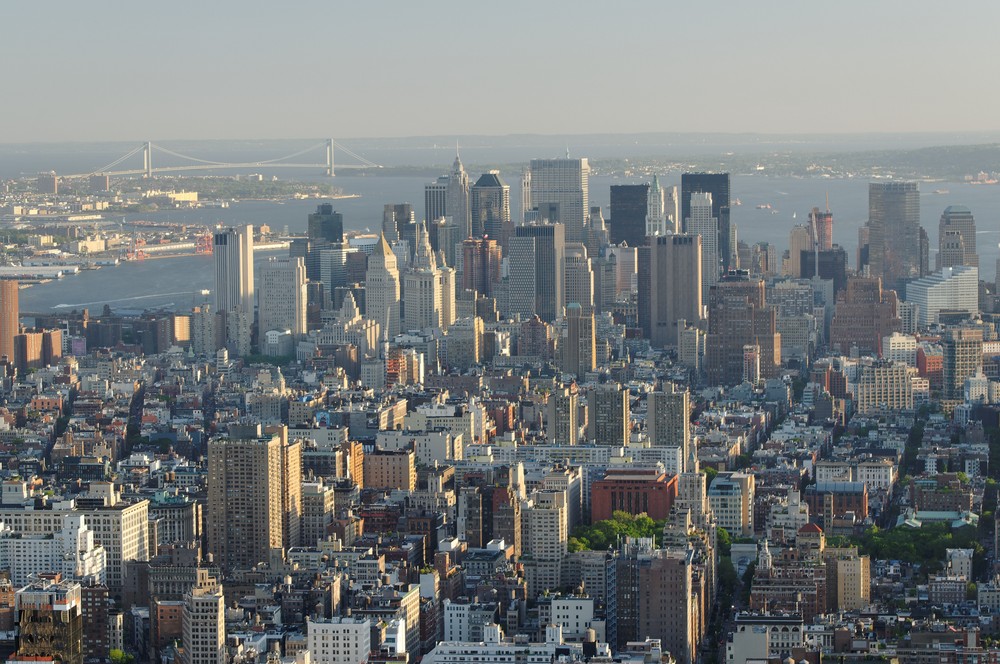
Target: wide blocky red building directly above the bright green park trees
<point x="633" y="490"/>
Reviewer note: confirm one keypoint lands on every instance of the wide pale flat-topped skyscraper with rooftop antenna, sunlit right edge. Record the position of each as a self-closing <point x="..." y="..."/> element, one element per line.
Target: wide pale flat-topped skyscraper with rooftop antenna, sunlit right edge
<point x="563" y="186"/>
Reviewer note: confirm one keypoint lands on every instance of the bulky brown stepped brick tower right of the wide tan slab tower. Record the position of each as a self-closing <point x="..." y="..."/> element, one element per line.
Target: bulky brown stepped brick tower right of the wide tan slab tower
<point x="738" y="316"/>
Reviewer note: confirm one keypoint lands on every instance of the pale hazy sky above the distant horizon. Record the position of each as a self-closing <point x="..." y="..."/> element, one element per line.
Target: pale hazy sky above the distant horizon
<point x="217" y="69"/>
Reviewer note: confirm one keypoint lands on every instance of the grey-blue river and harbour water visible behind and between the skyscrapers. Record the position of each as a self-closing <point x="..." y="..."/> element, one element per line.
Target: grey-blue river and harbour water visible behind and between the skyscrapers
<point x="176" y="282"/>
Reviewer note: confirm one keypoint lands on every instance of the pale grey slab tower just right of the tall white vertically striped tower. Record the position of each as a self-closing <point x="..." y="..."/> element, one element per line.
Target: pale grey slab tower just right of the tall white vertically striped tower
<point x="283" y="296"/>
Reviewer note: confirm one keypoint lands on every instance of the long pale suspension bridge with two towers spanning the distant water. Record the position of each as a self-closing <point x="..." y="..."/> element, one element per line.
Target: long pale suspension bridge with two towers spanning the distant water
<point x="196" y="164"/>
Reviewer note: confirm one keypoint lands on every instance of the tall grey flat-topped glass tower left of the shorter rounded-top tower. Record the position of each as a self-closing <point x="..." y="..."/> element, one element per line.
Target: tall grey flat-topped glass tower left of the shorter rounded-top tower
<point x="894" y="251"/>
